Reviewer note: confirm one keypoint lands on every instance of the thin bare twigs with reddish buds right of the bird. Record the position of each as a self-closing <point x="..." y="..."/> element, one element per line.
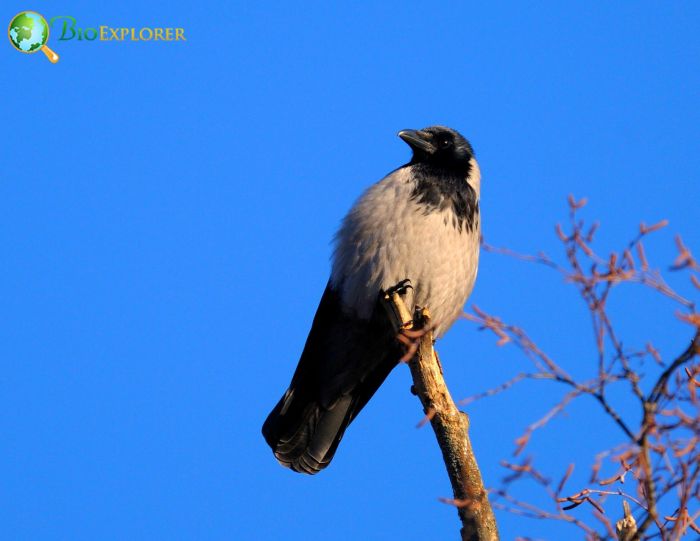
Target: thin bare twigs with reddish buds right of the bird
<point x="660" y="454"/>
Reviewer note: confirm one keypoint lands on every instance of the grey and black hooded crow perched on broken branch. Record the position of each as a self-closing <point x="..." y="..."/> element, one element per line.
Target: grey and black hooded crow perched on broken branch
<point x="417" y="229"/>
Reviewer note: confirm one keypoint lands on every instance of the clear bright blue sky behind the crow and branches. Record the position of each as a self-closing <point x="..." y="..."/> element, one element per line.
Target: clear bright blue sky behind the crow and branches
<point x="166" y="216"/>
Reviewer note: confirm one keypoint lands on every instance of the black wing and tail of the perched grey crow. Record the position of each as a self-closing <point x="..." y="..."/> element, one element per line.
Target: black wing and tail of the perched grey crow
<point x="344" y="362"/>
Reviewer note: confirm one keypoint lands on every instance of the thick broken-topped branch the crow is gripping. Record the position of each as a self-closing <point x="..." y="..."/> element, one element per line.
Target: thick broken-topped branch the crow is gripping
<point x="450" y="425"/>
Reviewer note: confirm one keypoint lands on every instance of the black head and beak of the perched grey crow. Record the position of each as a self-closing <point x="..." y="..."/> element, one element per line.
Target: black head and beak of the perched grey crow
<point x="439" y="146"/>
